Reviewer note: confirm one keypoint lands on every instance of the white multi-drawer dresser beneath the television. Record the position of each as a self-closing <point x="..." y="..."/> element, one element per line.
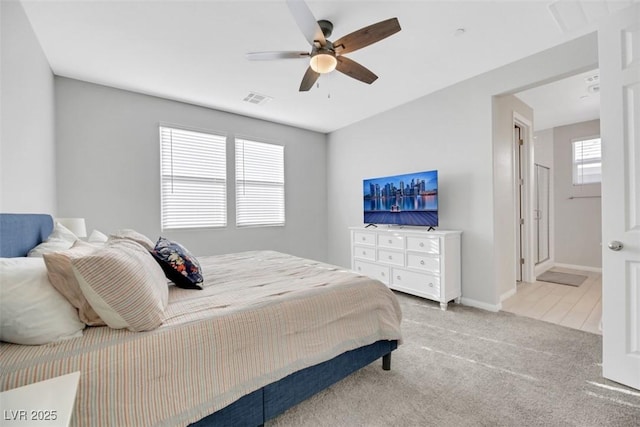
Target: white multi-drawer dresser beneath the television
<point x="411" y="260"/>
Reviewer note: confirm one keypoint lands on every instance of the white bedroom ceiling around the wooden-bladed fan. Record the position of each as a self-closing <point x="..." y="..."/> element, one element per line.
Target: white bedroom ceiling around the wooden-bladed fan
<point x="193" y="51"/>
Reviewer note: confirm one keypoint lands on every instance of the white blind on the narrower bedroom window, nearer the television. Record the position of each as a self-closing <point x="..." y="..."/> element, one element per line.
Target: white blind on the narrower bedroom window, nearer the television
<point x="259" y="184"/>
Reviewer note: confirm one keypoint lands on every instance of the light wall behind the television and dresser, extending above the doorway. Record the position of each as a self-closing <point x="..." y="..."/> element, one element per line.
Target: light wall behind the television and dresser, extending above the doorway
<point x="452" y="131"/>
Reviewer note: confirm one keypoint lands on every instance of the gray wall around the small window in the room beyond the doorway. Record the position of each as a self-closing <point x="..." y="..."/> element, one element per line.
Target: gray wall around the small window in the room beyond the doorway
<point x="578" y="221"/>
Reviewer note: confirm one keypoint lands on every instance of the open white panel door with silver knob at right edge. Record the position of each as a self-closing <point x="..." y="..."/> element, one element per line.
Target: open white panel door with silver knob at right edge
<point x="619" y="54"/>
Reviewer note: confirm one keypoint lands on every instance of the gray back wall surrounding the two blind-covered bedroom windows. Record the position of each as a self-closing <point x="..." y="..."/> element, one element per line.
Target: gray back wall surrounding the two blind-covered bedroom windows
<point x="109" y="169"/>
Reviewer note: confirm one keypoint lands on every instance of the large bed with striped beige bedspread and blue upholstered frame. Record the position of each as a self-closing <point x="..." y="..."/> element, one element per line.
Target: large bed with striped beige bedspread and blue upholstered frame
<point x="231" y="354"/>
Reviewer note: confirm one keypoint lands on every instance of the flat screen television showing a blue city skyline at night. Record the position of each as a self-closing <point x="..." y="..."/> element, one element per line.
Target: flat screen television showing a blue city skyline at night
<point x="408" y="199"/>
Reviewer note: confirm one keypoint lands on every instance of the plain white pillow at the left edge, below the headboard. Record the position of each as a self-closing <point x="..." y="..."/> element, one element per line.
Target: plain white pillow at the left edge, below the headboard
<point x="32" y="312"/>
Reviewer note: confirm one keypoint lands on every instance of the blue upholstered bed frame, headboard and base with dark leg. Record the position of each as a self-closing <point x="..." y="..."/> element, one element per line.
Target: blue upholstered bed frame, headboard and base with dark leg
<point x="21" y="232"/>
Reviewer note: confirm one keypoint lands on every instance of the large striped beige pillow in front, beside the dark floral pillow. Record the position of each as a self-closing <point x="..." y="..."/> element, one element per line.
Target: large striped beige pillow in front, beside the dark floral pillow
<point x="124" y="285"/>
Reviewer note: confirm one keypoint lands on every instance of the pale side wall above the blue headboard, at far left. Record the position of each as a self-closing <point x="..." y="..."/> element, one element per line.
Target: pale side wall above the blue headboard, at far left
<point x="27" y="141"/>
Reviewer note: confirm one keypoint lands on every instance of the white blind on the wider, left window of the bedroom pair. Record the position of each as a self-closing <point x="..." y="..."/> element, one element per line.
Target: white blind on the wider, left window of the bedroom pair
<point x="194" y="173"/>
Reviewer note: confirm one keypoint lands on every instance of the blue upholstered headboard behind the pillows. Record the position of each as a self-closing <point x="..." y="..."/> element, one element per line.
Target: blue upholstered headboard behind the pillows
<point x="21" y="232"/>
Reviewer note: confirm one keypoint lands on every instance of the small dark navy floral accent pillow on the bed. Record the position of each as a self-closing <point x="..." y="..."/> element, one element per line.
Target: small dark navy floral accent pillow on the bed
<point x="179" y="265"/>
